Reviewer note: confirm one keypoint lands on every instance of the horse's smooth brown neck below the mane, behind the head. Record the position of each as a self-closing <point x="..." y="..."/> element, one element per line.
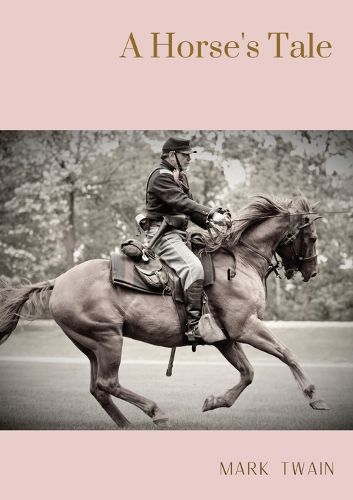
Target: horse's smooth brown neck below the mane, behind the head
<point x="264" y="239"/>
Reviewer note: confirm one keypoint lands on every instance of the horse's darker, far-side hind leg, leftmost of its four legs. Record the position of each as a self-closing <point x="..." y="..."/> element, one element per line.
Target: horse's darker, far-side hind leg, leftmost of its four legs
<point x="103" y="398"/>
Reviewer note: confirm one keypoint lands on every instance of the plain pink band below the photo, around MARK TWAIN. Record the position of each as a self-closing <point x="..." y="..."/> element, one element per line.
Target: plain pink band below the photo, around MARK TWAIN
<point x="168" y="465"/>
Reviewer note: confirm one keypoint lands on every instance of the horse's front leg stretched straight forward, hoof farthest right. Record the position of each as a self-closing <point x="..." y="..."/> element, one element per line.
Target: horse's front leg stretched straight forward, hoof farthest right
<point x="257" y="335"/>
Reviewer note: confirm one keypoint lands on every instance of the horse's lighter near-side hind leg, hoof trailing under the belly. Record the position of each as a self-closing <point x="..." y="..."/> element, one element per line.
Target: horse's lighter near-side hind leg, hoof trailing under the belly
<point x="108" y="355"/>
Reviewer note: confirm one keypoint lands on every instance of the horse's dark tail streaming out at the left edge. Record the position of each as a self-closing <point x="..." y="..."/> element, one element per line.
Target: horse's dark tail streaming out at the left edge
<point x="12" y="299"/>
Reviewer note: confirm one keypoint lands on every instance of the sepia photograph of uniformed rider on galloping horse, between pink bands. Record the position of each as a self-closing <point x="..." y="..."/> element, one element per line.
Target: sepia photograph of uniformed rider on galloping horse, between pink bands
<point x="180" y="280"/>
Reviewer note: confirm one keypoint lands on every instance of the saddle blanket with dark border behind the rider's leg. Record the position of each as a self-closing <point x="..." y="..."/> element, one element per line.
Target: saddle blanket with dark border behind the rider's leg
<point x="124" y="274"/>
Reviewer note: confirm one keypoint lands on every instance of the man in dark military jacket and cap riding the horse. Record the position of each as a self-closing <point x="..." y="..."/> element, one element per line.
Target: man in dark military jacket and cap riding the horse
<point x="168" y="194"/>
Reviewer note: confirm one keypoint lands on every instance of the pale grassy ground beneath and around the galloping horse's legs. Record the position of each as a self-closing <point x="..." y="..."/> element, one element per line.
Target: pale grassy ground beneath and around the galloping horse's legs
<point x="44" y="382"/>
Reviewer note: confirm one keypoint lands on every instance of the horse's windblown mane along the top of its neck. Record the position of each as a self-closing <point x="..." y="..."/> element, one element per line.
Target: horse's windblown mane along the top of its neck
<point x="261" y="207"/>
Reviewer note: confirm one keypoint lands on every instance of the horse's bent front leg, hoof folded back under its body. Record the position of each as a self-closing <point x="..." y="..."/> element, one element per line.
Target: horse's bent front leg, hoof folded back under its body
<point x="233" y="352"/>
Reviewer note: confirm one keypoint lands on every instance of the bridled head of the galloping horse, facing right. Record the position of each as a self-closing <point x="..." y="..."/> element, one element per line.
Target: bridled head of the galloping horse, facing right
<point x="298" y="247"/>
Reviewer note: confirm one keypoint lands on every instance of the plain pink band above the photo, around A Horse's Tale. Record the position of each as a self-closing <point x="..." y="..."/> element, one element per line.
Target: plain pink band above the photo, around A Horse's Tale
<point x="60" y="66"/>
